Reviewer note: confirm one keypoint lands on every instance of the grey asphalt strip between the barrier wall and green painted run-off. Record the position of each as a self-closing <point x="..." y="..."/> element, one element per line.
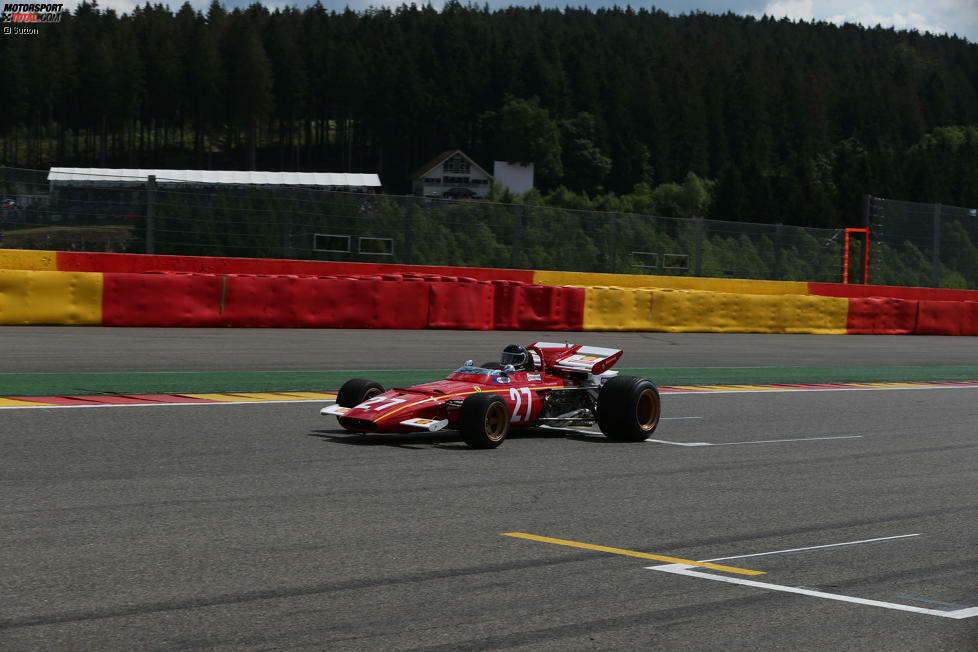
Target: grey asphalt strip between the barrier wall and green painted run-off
<point x="29" y="349"/>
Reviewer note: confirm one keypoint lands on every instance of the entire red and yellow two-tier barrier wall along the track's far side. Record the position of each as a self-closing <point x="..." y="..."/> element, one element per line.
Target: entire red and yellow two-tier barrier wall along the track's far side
<point x="47" y="287"/>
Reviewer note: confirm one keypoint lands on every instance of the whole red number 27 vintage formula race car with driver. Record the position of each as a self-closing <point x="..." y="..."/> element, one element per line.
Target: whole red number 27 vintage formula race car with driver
<point x="543" y="384"/>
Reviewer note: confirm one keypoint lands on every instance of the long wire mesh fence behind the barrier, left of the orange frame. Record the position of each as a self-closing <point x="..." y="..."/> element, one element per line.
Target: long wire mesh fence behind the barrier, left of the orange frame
<point x="139" y="215"/>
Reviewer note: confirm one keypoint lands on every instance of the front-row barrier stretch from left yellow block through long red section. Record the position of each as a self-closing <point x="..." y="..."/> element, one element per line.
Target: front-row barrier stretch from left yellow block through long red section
<point x="392" y="301"/>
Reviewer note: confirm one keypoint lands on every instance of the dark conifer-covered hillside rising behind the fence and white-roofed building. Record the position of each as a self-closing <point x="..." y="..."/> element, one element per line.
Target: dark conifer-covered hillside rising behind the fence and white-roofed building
<point x="794" y="121"/>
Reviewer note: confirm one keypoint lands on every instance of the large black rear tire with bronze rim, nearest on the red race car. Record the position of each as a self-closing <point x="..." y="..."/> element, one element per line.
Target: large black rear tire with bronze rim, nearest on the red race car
<point x="628" y="408"/>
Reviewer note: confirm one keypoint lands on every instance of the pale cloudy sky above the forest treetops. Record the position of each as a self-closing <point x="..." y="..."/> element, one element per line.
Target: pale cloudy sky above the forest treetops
<point x="959" y="17"/>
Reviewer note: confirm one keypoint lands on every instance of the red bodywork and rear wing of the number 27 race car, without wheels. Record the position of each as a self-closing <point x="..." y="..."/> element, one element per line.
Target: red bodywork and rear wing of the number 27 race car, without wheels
<point x="523" y="391"/>
